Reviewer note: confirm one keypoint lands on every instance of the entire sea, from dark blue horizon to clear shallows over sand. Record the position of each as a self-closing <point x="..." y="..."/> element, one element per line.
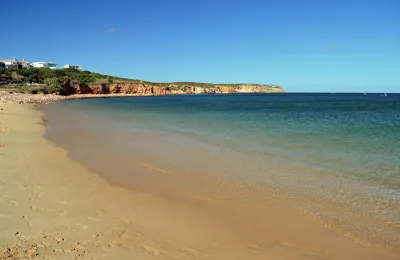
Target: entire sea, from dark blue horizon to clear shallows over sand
<point x="334" y="156"/>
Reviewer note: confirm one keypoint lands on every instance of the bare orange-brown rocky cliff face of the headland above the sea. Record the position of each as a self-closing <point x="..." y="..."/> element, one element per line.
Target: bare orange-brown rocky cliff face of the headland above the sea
<point x="146" y="89"/>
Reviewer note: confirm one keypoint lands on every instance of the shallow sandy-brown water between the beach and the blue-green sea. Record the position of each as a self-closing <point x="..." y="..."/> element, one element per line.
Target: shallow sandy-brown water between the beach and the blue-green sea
<point x="139" y="160"/>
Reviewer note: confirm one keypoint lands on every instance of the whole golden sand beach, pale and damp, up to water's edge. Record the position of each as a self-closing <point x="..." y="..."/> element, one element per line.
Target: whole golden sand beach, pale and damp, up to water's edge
<point x="54" y="208"/>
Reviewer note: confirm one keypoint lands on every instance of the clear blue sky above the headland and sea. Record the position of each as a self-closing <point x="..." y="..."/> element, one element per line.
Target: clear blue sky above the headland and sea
<point x="303" y="45"/>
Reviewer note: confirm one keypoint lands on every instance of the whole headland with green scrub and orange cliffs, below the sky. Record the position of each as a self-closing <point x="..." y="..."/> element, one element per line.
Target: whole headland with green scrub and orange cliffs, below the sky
<point x="69" y="82"/>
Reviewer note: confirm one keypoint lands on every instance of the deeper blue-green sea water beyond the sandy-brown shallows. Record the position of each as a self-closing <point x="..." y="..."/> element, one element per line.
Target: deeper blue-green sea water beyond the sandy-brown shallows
<point x="351" y="133"/>
